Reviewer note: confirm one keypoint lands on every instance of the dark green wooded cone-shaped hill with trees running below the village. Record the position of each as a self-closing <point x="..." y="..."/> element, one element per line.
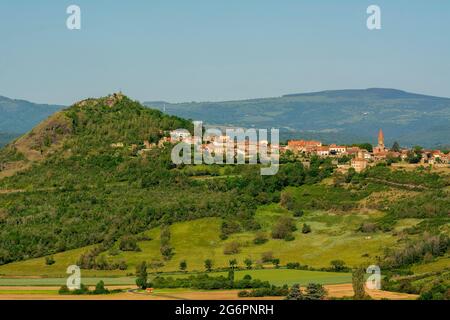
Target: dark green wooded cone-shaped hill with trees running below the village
<point x="83" y="180"/>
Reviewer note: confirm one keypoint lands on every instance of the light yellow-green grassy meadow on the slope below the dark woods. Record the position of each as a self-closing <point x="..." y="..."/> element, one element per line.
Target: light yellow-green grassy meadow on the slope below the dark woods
<point x="334" y="236"/>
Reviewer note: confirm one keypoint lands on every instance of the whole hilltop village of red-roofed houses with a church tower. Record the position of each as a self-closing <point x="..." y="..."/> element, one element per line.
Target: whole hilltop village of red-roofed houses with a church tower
<point x="358" y="157"/>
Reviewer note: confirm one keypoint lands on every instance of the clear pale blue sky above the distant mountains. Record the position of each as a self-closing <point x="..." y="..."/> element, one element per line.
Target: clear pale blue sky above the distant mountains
<point x="220" y="50"/>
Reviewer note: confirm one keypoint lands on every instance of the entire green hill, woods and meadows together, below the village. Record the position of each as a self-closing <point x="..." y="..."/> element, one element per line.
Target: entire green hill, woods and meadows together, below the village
<point x="91" y="195"/>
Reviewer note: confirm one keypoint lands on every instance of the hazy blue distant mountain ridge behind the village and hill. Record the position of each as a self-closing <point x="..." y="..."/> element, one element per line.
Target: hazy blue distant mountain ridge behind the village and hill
<point x="340" y="116"/>
